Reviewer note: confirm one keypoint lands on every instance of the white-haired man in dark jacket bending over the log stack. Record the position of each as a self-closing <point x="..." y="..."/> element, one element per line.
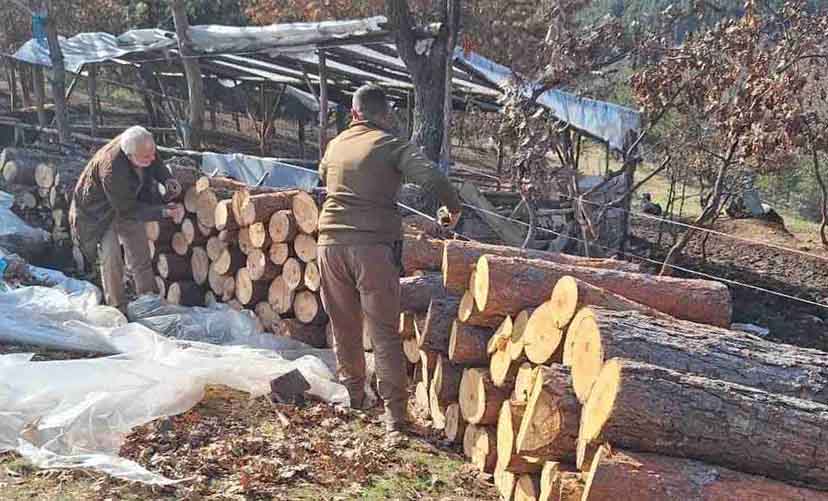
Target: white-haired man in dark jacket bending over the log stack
<point x="116" y="193"/>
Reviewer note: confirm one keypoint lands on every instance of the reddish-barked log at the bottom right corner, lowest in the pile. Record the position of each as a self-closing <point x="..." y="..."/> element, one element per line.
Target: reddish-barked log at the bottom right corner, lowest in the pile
<point x="617" y="474"/>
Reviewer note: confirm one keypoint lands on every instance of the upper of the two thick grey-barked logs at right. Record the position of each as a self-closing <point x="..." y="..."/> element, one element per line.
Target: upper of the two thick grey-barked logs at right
<point x="599" y="334"/>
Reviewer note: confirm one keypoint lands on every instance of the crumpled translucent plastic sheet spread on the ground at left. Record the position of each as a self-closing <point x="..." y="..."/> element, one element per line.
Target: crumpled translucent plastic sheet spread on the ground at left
<point x="76" y="413"/>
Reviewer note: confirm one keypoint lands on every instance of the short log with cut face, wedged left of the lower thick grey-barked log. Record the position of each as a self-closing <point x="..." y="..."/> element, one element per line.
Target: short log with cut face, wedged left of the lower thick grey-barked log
<point x="549" y="429"/>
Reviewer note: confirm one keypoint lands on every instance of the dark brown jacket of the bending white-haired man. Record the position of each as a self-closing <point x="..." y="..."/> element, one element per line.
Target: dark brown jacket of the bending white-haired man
<point x="110" y="188"/>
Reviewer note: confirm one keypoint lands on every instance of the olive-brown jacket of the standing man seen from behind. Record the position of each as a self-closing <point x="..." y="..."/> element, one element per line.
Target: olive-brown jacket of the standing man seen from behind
<point x="363" y="168"/>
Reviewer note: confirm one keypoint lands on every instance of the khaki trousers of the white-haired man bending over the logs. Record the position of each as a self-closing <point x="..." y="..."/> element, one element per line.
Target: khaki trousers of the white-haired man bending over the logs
<point x="133" y="236"/>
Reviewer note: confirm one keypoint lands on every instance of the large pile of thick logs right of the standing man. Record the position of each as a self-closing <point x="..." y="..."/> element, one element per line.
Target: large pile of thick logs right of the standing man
<point x="575" y="378"/>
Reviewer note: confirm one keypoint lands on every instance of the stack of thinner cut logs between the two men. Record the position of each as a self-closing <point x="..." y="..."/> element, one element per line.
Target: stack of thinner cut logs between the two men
<point x="253" y="248"/>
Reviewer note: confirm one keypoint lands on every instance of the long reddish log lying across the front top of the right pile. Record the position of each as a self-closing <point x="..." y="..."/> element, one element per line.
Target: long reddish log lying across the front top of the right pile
<point x="530" y="282"/>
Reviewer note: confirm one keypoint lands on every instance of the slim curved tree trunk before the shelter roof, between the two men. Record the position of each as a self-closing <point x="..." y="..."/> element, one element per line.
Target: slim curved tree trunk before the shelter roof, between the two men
<point x="192" y="70"/>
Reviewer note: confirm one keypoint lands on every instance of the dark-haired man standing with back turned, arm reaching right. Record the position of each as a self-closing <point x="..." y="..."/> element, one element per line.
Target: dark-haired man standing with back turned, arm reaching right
<point x="360" y="243"/>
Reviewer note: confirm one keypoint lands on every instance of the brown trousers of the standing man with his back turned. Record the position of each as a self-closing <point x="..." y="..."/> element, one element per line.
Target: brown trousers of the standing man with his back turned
<point x="361" y="292"/>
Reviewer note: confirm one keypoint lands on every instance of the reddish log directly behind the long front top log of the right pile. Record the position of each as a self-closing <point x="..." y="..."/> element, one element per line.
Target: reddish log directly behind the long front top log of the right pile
<point x="458" y="258"/>
